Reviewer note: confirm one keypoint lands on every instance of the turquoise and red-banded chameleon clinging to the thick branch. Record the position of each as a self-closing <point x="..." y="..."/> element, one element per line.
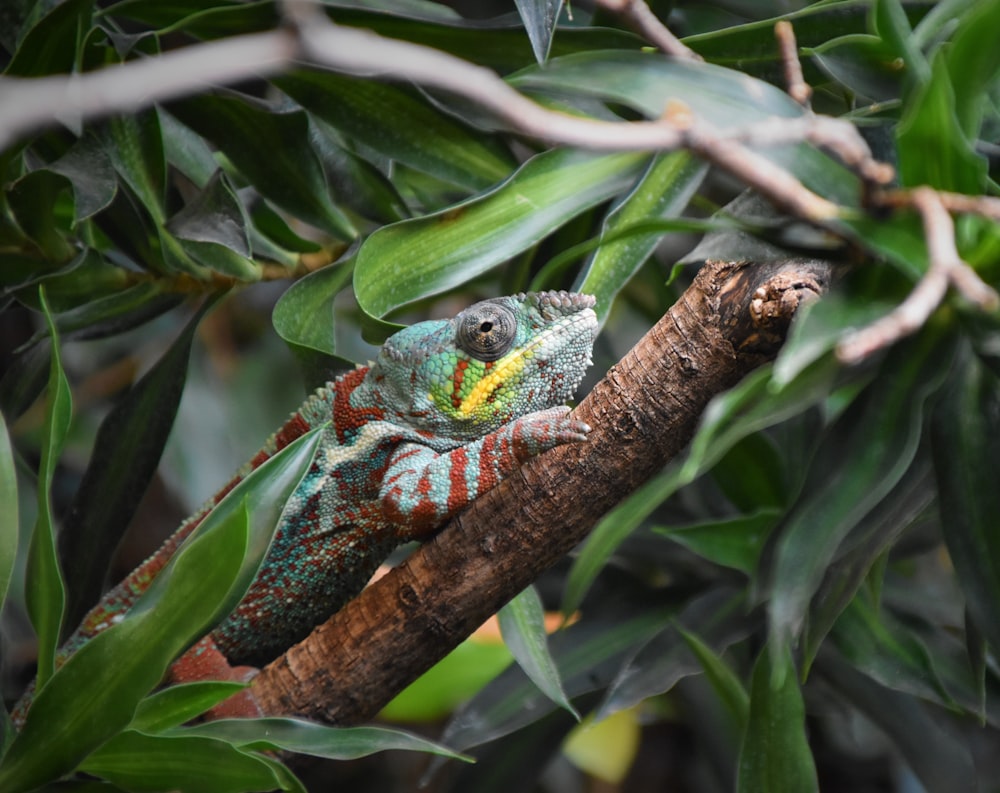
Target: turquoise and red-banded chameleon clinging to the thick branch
<point x="445" y="412"/>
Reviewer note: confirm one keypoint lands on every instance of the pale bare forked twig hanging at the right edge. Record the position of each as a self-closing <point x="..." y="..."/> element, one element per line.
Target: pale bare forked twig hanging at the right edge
<point x="945" y="268"/>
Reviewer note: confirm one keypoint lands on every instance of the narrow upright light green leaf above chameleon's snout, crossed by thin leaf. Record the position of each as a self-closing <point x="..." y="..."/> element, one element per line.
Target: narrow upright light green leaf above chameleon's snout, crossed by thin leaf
<point x="663" y="191"/>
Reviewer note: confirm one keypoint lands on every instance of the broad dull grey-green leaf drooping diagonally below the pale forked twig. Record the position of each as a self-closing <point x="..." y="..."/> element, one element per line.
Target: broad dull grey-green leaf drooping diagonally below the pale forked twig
<point x="861" y="458"/>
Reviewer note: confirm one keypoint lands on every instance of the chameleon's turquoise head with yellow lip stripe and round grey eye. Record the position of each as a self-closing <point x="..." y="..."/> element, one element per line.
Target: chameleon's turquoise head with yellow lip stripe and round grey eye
<point x="497" y="360"/>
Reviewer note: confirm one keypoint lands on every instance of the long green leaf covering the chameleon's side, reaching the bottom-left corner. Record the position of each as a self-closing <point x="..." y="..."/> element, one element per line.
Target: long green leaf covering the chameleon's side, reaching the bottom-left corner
<point x="95" y="692"/>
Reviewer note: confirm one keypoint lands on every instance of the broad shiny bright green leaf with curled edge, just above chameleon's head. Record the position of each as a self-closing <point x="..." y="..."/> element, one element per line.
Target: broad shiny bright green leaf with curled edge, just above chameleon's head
<point x="416" y="258"/>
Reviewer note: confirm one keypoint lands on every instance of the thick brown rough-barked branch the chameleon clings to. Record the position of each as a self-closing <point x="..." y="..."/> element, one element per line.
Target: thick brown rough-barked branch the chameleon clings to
<point x="731" y="319"/>
